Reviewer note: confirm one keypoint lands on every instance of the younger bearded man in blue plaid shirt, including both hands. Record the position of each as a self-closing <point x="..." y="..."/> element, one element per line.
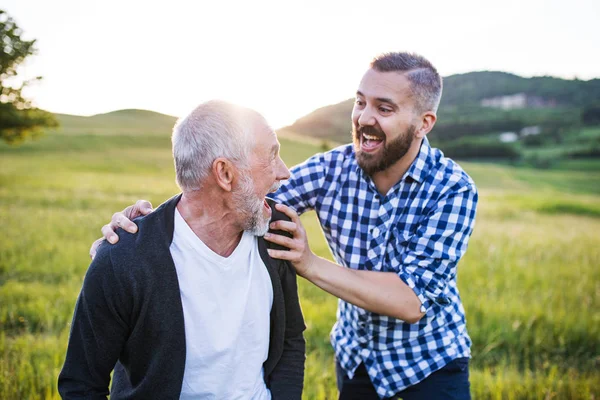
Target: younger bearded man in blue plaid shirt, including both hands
<point x="398" y="216"/>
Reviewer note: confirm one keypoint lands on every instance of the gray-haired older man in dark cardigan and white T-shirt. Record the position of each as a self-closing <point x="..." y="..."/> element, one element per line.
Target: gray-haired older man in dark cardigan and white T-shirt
<point x="192" y="306"/>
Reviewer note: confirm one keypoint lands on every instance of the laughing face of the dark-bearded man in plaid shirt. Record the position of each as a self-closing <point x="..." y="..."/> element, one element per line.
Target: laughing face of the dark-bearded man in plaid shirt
<point x="383" y="120"/>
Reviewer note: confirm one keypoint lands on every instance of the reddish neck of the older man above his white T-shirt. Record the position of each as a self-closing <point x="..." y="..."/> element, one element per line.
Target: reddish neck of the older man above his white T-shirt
<point x="212" y="219"/>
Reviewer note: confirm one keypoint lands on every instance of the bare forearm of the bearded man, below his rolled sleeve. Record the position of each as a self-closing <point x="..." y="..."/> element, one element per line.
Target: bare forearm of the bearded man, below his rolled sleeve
<point x="379" y="292"/>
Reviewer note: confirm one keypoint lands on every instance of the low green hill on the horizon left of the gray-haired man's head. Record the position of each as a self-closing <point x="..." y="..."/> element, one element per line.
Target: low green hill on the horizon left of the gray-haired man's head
<point x="122" y="122"/>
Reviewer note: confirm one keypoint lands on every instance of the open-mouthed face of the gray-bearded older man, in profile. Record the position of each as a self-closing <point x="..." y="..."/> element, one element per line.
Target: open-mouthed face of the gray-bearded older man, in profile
<point x="264" y="176"/>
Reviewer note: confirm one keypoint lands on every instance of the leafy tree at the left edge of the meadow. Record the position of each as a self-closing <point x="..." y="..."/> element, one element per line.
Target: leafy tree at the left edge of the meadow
<point x="19" y="119"/>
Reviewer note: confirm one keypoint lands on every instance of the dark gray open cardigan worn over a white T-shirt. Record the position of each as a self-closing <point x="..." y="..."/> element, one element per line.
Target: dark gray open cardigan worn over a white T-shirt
<point x="129" y="318"/>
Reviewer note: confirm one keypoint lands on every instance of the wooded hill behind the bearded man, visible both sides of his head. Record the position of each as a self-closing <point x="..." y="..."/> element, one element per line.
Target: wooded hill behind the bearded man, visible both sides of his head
<point x="461" y="112"/>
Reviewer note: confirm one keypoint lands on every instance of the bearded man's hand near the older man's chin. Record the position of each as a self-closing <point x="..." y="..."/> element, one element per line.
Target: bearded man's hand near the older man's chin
<point x="299" y="253"/>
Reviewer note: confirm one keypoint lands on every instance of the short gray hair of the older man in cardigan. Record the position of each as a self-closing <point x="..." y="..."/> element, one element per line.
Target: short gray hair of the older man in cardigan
<point x="213" y="129"/>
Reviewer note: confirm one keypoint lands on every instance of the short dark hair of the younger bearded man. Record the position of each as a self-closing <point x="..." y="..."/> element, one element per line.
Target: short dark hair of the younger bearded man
<point x="425" y="82"/>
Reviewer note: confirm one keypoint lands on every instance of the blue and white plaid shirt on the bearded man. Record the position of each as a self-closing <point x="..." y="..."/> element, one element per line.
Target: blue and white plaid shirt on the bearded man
<point x="419" y="231"/>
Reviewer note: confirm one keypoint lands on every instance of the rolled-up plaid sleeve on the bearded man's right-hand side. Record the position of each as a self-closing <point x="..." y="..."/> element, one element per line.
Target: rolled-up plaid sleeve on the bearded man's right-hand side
<point x="430" y="260"/>
